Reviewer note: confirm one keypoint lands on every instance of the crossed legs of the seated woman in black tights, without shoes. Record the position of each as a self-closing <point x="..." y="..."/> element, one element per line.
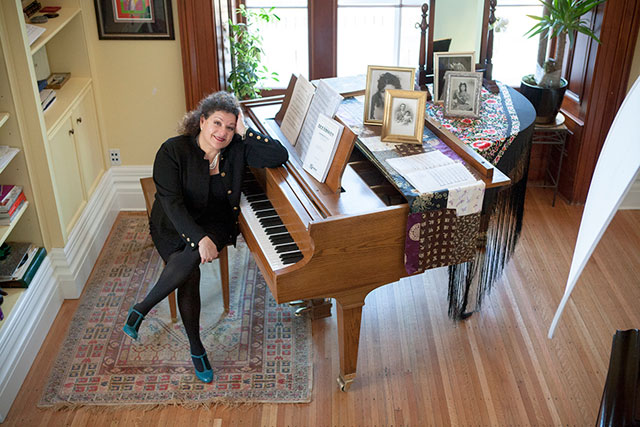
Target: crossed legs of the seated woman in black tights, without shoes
<point x="181" y="272"/>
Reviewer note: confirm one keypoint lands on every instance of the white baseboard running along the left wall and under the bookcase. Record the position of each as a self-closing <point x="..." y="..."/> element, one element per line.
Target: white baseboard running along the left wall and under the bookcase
<point x="63" y="275"/>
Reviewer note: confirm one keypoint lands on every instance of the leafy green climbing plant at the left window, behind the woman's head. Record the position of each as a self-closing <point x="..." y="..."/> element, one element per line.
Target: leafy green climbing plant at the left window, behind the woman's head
<point x="246" y="53"/>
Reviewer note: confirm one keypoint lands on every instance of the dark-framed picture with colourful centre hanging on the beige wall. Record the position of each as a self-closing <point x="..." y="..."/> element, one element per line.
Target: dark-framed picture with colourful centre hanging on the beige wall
<point x="134" y="19"/>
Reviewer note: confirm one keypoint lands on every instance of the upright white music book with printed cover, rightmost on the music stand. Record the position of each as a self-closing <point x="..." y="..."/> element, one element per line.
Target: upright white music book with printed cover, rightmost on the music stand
<point x="322" y="148"/>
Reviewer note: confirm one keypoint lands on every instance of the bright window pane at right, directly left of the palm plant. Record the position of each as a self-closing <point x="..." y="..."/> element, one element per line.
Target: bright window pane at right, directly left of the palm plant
<point x="514" y="54"/>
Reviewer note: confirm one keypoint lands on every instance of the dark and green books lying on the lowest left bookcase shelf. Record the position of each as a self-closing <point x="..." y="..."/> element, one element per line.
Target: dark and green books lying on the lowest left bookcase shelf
<point x="21" y="263"/>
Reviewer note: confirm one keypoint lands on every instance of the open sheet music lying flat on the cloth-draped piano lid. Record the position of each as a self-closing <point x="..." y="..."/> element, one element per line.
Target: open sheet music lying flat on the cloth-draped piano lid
<point x="433" y="171"/>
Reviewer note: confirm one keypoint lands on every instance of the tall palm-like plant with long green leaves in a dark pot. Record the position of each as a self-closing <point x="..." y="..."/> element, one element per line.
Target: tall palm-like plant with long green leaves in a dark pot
<point x="561" y="18"/>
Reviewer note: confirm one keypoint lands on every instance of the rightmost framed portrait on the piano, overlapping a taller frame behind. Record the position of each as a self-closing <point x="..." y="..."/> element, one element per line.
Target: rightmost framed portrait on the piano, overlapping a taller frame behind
<point x="462" y="94"/>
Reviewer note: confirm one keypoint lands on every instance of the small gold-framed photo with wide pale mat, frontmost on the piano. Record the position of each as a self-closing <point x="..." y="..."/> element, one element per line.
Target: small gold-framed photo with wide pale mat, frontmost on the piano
<point x="403" y="116"/>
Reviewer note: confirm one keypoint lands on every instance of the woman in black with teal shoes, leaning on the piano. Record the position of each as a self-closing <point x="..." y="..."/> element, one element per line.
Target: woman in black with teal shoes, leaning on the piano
<point x="198" y="175"/>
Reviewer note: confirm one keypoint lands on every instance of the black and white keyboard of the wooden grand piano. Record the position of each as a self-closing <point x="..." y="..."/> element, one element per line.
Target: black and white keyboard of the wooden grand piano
<point x="271" y="234"/>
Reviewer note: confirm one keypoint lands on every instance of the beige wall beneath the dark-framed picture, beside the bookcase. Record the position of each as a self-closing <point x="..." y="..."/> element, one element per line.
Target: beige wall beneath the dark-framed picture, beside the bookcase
<point x="139" y="88"/>
